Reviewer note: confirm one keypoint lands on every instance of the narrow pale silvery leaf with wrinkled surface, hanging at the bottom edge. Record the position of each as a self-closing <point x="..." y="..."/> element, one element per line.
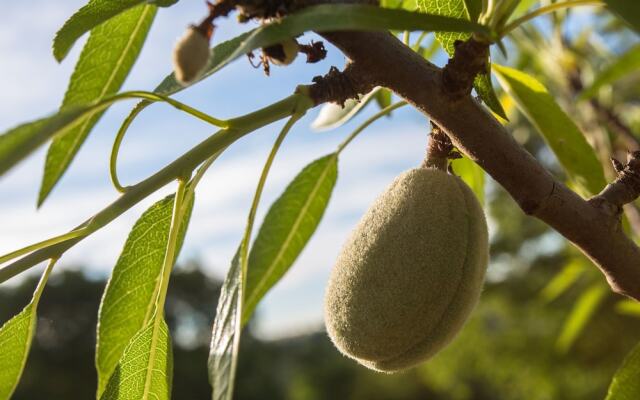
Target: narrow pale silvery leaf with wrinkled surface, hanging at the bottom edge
<point x="225" y="338"/>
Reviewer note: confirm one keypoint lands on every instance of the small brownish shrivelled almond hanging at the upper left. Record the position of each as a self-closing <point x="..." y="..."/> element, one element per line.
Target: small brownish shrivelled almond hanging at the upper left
<point x="190" y="55"/>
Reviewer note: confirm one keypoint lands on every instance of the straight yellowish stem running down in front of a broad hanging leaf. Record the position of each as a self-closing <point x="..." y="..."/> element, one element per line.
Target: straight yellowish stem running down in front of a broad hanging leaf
<point x="172" y="243"/>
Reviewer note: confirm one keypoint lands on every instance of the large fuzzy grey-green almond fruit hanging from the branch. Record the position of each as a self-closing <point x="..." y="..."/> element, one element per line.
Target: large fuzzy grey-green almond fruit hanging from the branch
<point x="410" y="274"/>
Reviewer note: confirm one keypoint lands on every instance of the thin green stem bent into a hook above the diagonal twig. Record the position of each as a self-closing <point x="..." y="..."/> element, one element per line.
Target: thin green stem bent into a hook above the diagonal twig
<point x="115" y="150"/>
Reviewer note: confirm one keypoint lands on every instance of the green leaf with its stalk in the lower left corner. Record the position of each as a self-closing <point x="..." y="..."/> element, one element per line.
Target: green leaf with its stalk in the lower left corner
<point x="15" y="340"/>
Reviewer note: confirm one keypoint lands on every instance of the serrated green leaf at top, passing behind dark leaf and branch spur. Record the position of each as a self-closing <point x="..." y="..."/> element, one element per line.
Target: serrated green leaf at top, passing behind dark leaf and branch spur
<point x="456" y="9"/>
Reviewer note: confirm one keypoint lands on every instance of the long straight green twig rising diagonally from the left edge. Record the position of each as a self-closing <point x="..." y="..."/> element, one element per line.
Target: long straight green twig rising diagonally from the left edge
<point x="175" y="170"/>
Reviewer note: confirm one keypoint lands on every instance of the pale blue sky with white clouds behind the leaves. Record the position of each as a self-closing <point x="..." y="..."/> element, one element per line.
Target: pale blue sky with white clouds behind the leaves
<point x="33" y="85"/>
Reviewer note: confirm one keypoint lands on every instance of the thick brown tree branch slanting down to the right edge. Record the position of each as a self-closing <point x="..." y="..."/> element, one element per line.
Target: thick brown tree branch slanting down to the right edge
<point x="589" y="225"/>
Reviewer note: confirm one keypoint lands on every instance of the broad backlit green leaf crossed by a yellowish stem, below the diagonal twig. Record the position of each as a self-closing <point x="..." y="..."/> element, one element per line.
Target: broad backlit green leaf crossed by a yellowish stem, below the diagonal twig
<point x="129" y="300"/>
